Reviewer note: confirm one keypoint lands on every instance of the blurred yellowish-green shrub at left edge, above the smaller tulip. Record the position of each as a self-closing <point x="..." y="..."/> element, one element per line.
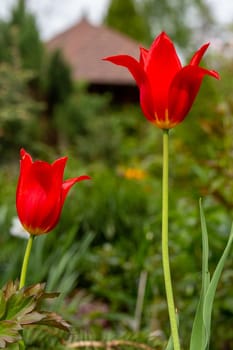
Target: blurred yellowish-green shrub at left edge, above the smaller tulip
<point x="18" y="113"/>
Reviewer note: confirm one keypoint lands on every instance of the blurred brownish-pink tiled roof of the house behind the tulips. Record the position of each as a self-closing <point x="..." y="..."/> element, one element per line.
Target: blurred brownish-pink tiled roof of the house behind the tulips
<point x="84" y="46"/>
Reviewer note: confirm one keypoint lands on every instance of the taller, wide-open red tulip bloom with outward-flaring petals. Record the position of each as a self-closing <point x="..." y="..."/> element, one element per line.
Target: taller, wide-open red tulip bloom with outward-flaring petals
<point x="167" y="90"/>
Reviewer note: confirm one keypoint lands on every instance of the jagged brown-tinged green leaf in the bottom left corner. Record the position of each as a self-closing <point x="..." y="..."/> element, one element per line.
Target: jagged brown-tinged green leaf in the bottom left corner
<point x="22" y="307"/>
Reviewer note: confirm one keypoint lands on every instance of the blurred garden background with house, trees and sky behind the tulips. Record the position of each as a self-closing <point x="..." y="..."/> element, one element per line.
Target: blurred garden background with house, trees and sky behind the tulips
<point x="58" y="98"/>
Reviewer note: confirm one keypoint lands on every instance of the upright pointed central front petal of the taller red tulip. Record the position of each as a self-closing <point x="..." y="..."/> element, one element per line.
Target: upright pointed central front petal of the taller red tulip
<point x="161" y="65"/>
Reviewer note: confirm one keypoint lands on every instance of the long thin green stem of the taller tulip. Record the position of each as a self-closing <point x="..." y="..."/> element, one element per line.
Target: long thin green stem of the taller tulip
<point x="165" y="250"/>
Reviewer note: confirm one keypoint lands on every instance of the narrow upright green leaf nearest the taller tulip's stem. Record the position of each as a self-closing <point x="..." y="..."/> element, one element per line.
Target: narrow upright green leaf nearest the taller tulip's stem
<point x="198" y="331"/>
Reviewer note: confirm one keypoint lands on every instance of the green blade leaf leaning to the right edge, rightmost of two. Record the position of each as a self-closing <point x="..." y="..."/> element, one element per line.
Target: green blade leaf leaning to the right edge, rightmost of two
<point x="210" y="294"/>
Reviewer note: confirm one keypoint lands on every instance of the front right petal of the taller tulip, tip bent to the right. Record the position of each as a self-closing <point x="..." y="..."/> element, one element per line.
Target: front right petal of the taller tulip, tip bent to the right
<point x="183" y="91"/>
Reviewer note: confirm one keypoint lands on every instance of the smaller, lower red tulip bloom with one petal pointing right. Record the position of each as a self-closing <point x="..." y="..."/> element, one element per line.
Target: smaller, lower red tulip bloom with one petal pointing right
<point x="41" y="193"/>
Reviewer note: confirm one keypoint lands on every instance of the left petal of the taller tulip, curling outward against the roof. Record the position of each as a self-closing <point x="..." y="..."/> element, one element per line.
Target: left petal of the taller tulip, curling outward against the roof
<point x="131" y="63"/>
